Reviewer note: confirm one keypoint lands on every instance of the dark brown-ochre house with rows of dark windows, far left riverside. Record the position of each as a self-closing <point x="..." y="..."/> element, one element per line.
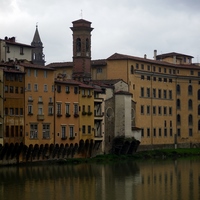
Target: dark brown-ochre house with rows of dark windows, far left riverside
<point x="13" y="105"/>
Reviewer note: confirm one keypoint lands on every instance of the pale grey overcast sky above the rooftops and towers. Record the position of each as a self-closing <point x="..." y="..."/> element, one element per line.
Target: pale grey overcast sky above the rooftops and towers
<point x="132" y="27"/>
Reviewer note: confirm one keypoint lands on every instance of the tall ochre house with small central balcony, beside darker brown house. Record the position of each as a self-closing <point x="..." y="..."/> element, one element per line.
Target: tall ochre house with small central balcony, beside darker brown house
<point x="39" y="104"/>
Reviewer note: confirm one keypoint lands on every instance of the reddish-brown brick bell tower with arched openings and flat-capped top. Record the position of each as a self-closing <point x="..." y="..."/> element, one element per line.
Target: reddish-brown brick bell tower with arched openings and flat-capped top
<point x="81" y="50"/>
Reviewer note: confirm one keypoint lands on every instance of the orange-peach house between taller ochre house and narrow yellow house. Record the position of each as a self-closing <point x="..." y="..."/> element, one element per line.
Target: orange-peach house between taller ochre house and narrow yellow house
<point x="66" y="112"/>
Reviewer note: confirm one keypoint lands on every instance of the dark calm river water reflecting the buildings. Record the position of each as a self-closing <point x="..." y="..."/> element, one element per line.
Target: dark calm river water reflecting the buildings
<point x="152" y="180"/>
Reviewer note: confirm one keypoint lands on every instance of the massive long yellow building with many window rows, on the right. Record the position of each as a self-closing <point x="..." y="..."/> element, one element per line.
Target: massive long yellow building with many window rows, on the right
<point x="167" y="97"/>
